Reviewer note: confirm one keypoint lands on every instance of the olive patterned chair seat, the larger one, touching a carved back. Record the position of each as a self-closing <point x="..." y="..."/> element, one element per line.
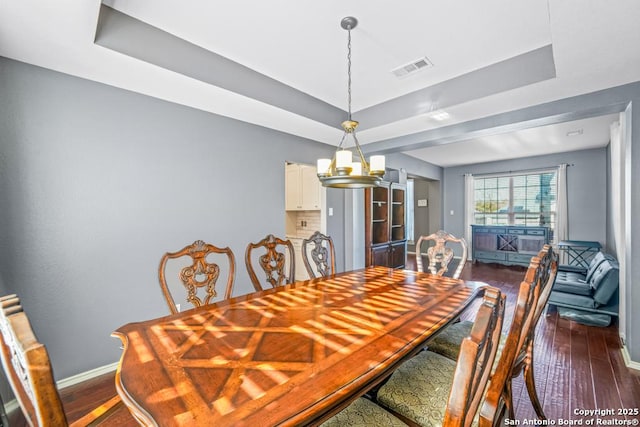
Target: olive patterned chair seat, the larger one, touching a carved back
<point x="420" y="388"/>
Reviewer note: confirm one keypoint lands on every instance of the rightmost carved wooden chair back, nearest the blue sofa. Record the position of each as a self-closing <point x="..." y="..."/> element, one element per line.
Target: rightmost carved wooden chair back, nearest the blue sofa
<point x="517" y="355"/>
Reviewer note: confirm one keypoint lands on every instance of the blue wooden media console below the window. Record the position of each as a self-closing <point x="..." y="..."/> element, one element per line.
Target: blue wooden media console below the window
<point x="510" y="245"/>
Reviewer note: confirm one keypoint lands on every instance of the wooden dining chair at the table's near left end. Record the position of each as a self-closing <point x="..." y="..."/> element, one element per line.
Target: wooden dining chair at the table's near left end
<point x="27" y="366"/>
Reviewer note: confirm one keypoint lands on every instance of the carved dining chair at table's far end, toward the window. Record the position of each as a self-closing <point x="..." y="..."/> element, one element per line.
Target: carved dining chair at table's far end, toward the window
<point x="440" y="255"/>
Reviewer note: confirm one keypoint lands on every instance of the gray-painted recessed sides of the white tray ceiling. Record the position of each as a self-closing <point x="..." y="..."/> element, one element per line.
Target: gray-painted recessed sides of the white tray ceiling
<point x="137" y="39"/>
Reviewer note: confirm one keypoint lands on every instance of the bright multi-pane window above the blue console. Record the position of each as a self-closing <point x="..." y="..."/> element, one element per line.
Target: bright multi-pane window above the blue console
<point x="516" y="199"/>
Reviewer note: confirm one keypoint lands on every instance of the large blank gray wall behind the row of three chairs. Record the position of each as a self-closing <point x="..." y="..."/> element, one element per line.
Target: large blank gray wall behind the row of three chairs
<point x="96" y="183"/>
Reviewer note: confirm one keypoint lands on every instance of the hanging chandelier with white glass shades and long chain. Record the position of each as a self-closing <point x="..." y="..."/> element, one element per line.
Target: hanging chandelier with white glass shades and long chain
<point x="342" y="171"/>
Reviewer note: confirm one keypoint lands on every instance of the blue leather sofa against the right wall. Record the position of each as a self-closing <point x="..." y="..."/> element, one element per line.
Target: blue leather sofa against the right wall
<point x="588" y="296"/>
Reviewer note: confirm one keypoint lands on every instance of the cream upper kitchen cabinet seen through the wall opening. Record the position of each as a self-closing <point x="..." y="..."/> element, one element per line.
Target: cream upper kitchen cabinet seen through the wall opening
<point x="302" y="188"/>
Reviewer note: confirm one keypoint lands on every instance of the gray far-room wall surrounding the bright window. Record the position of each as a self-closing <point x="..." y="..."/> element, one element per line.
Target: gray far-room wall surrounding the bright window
<point x="586" y="190"/>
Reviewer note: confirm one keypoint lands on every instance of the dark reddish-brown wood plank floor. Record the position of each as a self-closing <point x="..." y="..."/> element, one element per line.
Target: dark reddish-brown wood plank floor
<point x="577" y="367"/>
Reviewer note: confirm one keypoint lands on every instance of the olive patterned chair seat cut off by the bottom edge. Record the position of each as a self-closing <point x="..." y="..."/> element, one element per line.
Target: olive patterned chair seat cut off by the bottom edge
<point x="363" y="413"/>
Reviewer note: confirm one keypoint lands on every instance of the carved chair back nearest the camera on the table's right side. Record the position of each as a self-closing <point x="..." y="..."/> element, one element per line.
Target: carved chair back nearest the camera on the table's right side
<point x="475" y="362"/>
